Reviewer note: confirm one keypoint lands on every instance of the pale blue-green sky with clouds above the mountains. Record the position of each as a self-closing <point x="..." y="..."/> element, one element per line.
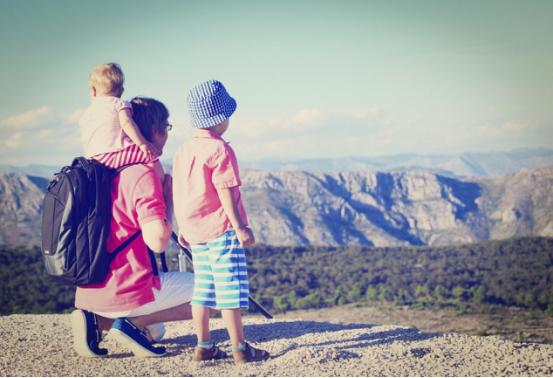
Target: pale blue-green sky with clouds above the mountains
<point x="312" y="78"/>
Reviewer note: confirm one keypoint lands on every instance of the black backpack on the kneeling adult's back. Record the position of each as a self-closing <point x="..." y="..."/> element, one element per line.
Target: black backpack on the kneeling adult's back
<point x="76" y="223"/>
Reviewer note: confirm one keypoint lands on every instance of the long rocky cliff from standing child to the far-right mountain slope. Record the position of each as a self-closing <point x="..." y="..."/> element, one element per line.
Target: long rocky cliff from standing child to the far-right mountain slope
<point x="368" y="208"/>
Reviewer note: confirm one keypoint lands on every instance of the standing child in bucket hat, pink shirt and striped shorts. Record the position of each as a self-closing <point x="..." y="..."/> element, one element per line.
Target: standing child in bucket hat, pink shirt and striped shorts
<point x="212" y="221"/>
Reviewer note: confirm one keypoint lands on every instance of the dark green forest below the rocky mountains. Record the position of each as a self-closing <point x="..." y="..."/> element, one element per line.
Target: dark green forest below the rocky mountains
<point x="515" y="272"/>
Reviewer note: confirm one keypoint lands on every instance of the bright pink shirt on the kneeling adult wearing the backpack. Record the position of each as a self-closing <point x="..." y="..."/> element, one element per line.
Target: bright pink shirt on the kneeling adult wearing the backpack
<point x="137" y="199"/>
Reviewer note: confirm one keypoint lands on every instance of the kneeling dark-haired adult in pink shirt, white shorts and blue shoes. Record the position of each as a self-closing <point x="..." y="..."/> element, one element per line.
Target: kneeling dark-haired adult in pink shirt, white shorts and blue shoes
<point x="133" y="297"/>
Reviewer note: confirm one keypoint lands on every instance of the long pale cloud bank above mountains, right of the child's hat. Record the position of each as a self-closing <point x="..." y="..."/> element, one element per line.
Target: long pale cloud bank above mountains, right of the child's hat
<point x="314" y="133"/>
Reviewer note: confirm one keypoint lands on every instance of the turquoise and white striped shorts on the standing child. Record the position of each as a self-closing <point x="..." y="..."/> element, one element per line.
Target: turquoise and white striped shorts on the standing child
<point x="220" y="273"/>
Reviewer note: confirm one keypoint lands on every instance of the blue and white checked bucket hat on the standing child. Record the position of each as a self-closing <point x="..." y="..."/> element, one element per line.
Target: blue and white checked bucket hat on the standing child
<point x="210" y="104"/>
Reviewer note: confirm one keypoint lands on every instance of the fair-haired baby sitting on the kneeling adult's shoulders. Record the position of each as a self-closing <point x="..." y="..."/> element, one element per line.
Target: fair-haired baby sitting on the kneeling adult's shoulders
<point x="108" y="132"/>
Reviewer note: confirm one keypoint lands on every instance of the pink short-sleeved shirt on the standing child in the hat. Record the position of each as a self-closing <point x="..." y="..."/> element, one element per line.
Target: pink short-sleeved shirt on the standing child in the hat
<point x="201" y="165"/>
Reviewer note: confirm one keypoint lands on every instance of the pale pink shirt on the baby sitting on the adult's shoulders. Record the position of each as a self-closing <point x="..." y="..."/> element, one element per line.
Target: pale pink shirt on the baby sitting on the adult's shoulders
<point x="101" y="131"/>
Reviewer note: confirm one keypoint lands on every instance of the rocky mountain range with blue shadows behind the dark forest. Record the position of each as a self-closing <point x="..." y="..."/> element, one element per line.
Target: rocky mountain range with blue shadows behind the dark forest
<point x="368" y="208"/>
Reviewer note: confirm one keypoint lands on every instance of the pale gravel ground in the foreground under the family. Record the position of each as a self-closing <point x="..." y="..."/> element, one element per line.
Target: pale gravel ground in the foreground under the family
<point x="41" y="345"/>
